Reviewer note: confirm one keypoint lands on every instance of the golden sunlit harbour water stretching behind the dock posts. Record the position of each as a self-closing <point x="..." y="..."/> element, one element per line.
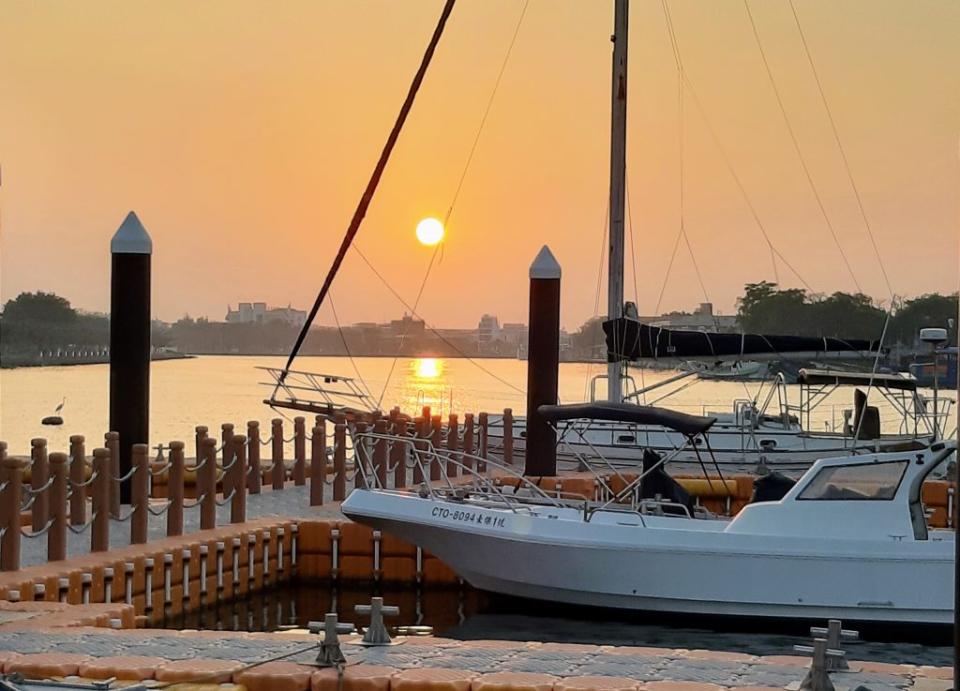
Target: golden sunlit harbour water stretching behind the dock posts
<point x="216" y="389"/>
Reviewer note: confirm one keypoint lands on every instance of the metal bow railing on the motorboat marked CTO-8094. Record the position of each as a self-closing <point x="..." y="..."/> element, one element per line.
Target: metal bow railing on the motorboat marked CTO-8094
<point x="445" y="473"/>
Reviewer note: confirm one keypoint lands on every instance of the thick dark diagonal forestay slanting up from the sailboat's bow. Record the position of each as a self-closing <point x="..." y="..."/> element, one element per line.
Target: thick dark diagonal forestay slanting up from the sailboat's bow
<point x="372" y="184"/>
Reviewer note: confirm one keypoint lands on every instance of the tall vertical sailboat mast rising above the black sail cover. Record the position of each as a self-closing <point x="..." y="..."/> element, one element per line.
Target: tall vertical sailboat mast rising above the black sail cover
<point x="618" y="167"/>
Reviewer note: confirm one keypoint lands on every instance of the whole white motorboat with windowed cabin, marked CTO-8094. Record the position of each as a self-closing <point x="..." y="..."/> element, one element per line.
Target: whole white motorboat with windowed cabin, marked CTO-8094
<point x="849" y="540"/>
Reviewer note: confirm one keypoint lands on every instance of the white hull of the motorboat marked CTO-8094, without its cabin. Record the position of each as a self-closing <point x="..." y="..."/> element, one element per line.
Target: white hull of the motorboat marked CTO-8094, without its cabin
<point x="618" y="563"/>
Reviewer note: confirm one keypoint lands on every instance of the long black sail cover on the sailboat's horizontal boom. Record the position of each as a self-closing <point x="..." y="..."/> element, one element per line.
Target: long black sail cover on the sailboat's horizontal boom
<point x="628" y="339"/>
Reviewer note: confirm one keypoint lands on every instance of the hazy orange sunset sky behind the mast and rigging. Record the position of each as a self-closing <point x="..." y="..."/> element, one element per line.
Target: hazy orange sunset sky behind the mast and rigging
<point x="242" y="133"/>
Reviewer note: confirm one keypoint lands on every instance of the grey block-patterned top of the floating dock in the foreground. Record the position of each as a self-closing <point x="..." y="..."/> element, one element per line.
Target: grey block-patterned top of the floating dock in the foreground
<point x="248" y="649"/>
